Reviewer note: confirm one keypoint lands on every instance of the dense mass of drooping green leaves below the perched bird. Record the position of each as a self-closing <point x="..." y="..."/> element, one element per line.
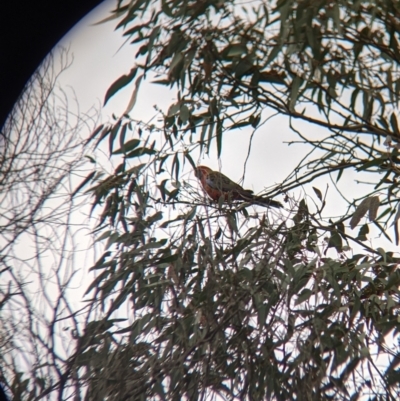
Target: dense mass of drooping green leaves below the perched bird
<point x="235" y="306"/>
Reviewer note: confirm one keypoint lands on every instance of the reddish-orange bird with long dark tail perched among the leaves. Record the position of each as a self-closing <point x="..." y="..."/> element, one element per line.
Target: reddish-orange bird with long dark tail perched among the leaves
<point x="216" y="185"/>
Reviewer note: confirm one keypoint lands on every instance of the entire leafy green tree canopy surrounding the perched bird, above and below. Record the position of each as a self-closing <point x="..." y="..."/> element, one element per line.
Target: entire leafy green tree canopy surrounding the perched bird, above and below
<point x="226" y="303"/>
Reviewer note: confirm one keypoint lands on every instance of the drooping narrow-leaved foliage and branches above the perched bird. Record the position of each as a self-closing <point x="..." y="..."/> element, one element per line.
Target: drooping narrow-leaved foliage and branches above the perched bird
<point x="333" y="64"/>
